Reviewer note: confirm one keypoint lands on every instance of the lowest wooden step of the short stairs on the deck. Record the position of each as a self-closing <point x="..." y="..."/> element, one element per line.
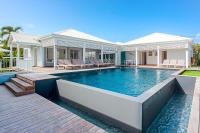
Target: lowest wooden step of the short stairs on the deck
<point x="17" y="91"/>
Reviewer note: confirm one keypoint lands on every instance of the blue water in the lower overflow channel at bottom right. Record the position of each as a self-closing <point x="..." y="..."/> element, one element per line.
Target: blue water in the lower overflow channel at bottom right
<point x="174" y="117"/>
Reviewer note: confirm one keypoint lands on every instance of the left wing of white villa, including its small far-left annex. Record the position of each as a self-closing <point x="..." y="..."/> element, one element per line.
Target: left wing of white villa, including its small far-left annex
<point x="49" y="50"/>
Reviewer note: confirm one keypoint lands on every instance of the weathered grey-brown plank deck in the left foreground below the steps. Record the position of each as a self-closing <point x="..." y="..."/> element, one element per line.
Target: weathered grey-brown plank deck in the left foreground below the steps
<point x="35" y="114"/>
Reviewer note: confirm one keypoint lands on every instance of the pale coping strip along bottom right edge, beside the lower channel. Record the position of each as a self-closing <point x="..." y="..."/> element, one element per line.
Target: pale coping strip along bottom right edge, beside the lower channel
<point x="193" y="125"/>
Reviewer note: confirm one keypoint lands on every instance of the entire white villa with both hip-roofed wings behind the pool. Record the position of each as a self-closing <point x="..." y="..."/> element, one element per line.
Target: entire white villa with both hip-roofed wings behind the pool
<point x="156" y="49"/>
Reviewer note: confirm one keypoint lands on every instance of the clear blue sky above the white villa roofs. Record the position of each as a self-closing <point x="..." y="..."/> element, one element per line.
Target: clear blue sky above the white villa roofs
<point x="113" y="20"/>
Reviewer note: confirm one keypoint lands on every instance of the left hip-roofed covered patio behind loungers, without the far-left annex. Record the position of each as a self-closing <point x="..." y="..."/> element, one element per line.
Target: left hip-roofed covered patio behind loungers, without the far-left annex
<point x="62" y="47"/>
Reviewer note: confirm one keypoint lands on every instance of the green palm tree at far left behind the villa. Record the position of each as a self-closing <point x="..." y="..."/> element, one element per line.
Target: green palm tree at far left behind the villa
<point x="6" y="32"/>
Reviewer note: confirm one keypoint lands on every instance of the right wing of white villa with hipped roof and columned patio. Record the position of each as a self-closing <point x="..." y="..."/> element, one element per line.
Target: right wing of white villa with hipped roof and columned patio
<point x="159" y="50"/>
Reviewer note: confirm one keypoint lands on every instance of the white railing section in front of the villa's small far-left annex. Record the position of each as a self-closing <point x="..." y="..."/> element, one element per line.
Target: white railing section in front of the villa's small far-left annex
<point x="24" y="64"/>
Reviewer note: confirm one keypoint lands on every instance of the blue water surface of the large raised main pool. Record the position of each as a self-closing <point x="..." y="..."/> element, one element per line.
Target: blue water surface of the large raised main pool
<point x="128" y="81"/>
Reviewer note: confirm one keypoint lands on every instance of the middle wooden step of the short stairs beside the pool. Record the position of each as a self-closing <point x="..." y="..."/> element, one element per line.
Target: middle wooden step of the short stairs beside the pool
<point x="22" y="84"/>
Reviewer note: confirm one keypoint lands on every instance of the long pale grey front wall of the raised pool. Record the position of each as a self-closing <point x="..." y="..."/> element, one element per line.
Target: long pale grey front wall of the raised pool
<point x="117" y="106"/>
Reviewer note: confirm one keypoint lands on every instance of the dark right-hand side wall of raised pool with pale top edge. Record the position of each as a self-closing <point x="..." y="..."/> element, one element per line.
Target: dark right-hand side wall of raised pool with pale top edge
<point x="154" y="100"/>
